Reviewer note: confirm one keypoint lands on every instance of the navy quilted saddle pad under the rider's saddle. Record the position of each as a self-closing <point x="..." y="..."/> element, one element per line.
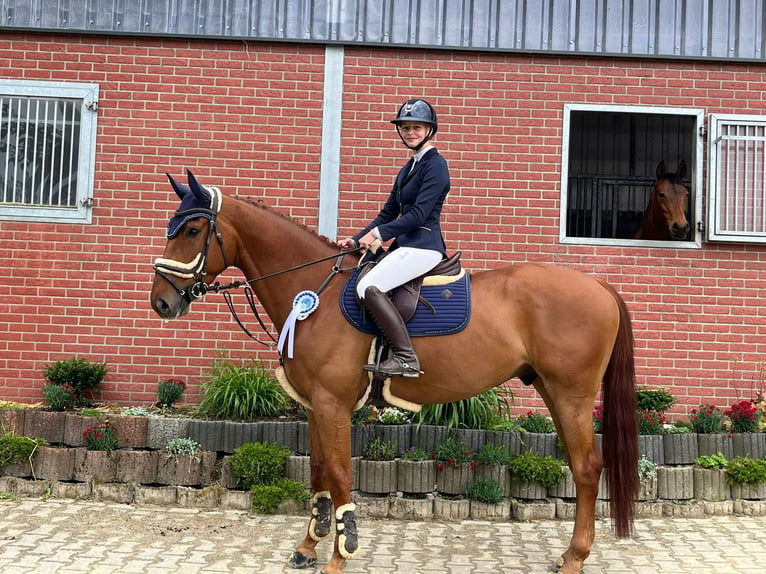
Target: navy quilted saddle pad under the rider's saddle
<point x="452" y="302"/>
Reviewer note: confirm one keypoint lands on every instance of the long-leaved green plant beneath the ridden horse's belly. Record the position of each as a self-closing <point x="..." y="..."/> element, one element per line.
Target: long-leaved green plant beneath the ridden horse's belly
<point x="483" y="411"/>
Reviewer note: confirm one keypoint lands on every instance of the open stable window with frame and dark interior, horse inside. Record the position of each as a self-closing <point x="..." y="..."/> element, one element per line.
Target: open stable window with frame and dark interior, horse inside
<point x="611" y="158"/>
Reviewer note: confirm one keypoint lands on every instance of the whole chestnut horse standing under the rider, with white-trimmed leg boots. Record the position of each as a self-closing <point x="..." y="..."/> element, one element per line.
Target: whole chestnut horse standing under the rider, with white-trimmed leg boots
<point x="557" y="329"/>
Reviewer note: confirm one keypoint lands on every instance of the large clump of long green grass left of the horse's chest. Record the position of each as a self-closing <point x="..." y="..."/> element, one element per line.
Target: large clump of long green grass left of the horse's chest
<point x="242" y="392"/>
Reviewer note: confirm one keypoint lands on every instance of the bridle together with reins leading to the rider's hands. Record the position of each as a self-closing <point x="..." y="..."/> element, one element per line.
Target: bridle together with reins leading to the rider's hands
<point x="197" y="269"/>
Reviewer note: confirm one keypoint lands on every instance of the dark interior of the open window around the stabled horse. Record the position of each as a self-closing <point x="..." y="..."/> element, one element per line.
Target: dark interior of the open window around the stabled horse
<point x="612" y="160"/>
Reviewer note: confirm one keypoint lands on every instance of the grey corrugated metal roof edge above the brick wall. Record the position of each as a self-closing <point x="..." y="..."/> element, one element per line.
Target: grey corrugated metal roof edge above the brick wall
<point x="732" y="29"/>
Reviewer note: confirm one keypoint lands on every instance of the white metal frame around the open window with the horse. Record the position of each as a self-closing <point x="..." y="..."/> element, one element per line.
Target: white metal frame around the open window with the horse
<point x="696" y="172"/>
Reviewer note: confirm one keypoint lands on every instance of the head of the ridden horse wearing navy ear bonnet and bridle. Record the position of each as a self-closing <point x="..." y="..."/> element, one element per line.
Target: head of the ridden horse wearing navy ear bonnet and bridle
<point x="191" y="259"/>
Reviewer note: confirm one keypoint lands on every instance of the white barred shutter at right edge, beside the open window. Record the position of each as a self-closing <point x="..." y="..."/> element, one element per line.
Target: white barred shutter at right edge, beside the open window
<point x="753" y="193"/>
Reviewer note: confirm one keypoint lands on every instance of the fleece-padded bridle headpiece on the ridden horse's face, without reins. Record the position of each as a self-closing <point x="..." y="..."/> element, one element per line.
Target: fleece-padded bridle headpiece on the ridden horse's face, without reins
<point x="196" y="268"/>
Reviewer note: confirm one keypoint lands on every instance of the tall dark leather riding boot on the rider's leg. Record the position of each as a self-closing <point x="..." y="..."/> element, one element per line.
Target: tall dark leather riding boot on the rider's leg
<point x="404" y="362"/>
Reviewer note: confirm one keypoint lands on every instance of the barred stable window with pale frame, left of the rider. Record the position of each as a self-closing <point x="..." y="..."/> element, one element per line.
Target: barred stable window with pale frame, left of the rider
<point x="47" y="150"/>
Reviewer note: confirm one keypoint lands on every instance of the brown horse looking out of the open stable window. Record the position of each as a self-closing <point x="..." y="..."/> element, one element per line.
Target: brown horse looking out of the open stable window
<point x="665" y="215"/>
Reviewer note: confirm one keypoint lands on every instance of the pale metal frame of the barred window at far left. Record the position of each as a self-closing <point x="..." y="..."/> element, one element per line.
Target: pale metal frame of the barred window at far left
<point x="81" y="211"/>
